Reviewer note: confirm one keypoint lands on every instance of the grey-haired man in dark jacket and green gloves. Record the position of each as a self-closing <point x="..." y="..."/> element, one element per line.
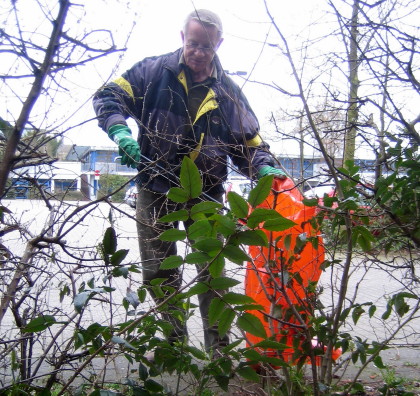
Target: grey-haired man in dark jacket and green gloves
<point x="184" y="104"/>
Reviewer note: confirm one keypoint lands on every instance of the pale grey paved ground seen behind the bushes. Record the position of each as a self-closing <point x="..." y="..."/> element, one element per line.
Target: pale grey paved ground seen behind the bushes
<point x="368" y="279"/>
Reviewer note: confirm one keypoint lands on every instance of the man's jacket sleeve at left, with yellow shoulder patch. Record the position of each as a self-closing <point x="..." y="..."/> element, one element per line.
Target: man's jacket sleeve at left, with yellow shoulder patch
<point x="118" y="100"/>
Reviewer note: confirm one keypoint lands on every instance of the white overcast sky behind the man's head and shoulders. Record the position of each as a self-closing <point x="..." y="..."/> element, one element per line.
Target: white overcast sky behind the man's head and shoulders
<point x="157" y="31"/>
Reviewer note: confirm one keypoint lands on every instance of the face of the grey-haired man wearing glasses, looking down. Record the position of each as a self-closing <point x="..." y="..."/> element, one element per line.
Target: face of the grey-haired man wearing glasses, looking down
<point x="200" y="45"/>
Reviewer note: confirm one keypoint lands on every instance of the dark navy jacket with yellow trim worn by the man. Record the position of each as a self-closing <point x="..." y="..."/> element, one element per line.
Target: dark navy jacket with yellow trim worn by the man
<point x="154" y="92"/>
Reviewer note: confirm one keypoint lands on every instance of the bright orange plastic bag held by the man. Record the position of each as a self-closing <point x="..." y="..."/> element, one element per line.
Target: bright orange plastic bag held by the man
<point x="278" y="277"/>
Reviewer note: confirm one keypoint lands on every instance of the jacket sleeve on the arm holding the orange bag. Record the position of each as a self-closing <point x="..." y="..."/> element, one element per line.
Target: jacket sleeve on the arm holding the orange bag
<point x="248" y="151"/>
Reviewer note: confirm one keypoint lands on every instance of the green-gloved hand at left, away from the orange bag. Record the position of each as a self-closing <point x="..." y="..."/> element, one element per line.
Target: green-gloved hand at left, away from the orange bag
<point x="128" y="147"/>
